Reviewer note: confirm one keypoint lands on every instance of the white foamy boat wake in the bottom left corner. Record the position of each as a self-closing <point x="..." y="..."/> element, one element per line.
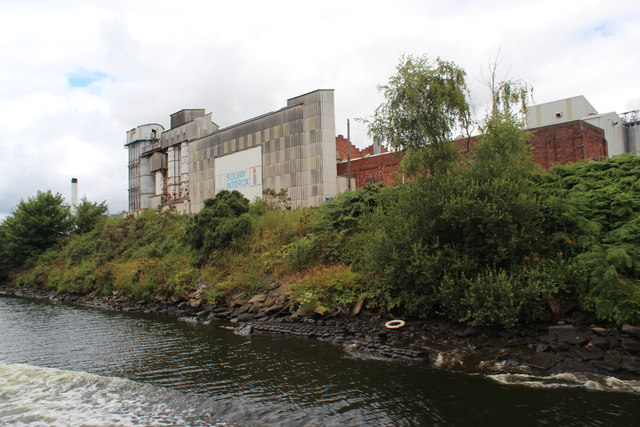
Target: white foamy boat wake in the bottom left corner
<point x="46" y="396"/>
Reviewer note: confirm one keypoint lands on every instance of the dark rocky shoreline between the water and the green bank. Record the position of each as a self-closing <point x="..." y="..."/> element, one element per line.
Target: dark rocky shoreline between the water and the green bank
<point x="565" y="347"/>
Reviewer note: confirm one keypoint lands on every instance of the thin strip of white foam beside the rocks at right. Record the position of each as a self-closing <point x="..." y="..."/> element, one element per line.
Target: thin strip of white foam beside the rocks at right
<point x="567" y="380"/>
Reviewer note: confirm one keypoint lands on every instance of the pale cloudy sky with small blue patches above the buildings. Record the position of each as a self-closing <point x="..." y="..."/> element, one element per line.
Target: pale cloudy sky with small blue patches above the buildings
<point x="76" y="75"/>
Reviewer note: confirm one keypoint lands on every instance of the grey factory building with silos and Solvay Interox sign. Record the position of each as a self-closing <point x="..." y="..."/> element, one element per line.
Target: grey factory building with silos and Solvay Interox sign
<point x="292" y="148"/>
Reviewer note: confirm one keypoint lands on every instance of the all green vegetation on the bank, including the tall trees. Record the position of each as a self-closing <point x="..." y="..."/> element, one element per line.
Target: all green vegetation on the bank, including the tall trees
<point x="484" y="239"/>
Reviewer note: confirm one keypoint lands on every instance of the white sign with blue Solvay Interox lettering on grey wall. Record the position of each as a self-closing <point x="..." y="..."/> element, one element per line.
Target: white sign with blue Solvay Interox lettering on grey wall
<point x="240" y="171"/>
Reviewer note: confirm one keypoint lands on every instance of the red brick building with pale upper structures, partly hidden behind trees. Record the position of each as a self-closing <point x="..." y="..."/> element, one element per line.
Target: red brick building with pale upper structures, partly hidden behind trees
<point x="563" y="131"/>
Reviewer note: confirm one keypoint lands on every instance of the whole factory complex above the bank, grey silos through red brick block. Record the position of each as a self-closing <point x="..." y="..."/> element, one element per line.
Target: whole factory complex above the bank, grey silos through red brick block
<point x="295" y="148"/>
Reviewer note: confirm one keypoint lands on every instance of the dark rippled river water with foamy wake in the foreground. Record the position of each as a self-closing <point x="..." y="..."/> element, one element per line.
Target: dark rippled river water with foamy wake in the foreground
<point x="66" y="365"/>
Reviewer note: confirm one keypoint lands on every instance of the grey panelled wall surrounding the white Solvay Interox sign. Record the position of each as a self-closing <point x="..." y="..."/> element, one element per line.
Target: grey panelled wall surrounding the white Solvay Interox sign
<point x="298" y="151"/>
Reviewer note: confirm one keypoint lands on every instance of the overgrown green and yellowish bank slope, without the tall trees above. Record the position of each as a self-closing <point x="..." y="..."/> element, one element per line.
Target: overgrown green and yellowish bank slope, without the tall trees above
<point x="572" y="246"/>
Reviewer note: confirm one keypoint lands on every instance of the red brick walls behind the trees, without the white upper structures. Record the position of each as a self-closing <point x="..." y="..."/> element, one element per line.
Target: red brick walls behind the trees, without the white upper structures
<point x="561" y="143"/>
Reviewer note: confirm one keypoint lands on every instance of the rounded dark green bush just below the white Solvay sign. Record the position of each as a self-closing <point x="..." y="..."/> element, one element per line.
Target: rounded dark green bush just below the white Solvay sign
<point x="222" y="219"/>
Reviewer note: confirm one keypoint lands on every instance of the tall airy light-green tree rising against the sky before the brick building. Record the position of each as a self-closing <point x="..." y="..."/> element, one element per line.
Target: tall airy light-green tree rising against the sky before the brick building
<point x="425" y="102"/>
